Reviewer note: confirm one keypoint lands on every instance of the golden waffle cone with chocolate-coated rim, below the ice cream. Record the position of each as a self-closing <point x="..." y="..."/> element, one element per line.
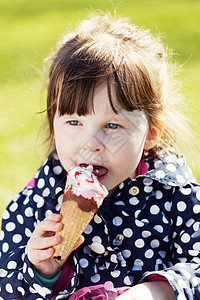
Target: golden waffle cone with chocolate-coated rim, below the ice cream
<point x="76" y="212"/>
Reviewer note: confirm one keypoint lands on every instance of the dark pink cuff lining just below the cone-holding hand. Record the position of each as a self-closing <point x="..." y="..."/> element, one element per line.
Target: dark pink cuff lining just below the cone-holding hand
<point x="65" y="277"/>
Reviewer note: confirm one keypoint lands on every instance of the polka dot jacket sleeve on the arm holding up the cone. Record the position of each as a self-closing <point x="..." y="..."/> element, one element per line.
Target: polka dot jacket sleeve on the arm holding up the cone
<point x="17" y="279"/>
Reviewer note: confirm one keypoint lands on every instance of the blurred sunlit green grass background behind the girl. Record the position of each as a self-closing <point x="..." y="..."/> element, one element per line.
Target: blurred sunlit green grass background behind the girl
<point x="29" y="30"/>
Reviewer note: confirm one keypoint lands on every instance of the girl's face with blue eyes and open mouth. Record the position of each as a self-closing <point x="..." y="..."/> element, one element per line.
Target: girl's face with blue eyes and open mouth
<point x="112" y="143"/>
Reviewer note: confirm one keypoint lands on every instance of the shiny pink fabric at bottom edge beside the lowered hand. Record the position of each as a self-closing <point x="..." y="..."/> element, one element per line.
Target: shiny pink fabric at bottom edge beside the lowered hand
<point x="98" y="292"/>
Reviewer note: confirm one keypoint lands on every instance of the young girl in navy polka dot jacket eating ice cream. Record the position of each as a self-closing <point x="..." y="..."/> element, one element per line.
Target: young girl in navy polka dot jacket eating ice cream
<point x="107" y="105"/>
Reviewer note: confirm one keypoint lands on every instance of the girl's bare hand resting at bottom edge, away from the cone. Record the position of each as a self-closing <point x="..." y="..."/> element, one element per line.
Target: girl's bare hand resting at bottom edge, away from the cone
<point x="149" y="291"/>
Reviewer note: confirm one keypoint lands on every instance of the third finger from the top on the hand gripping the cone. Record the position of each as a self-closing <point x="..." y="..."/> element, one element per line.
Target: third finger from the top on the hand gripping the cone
<point x="43" y="243"/>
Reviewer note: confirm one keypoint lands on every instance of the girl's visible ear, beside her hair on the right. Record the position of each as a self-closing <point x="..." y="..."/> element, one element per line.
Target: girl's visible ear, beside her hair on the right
<point x="154" y="134"/>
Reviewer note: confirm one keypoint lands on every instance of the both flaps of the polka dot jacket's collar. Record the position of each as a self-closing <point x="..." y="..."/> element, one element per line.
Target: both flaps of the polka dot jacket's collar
<point x="169" y="169"/>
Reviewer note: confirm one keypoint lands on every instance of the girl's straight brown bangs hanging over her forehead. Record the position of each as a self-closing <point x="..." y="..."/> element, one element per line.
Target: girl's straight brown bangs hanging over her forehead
<point x="84" y="75"/>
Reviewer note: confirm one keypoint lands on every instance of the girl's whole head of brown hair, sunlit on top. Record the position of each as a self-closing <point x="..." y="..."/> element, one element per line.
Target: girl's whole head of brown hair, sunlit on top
<point x="128" y="57"/>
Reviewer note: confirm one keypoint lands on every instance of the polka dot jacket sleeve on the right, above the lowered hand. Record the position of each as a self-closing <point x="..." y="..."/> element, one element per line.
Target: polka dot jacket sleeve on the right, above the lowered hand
<point x="183" y="273"/>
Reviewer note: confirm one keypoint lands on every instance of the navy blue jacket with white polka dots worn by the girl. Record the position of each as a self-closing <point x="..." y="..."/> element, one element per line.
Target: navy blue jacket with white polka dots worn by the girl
<point x="147" y="226"/>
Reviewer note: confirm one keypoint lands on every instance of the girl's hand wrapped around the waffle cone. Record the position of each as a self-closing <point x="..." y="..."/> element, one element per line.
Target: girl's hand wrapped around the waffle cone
<point x="40" y="246"/>
